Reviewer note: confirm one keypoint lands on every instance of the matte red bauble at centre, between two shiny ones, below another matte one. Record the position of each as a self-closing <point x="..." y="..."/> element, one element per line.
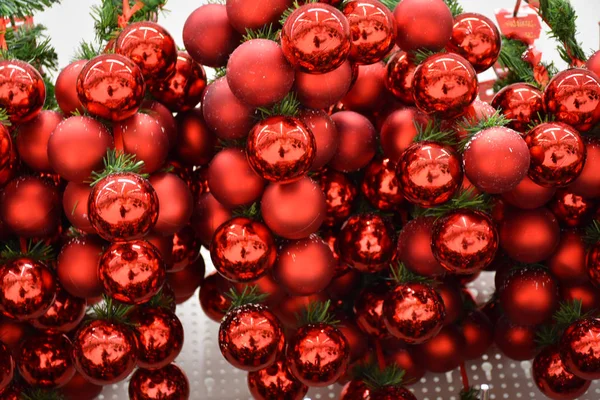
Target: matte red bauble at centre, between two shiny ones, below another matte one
<point x="305" y="266"/>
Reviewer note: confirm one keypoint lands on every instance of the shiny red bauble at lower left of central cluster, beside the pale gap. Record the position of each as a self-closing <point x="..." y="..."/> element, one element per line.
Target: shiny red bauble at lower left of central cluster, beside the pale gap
<point x="251" y="337"/>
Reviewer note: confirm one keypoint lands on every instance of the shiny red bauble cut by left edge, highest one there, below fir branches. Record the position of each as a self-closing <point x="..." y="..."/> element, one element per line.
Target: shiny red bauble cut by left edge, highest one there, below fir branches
<point x="22" y="90"/>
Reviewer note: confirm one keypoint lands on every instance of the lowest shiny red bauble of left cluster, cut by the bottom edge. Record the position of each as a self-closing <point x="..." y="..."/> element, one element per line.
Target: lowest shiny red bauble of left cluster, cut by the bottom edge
<point x="168" y="383"/>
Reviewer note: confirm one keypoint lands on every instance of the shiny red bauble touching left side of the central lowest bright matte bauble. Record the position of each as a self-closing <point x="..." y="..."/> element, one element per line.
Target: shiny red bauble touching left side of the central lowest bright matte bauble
<point x="243" y="250"/>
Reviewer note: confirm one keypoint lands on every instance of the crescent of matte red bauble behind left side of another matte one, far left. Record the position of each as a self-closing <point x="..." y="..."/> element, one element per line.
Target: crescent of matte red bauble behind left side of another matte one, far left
<point x="32" y="140"/>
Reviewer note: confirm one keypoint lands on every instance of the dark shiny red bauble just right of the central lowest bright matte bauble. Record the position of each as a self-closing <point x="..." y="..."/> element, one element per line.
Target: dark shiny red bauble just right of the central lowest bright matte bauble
<point x="366" y="242"/>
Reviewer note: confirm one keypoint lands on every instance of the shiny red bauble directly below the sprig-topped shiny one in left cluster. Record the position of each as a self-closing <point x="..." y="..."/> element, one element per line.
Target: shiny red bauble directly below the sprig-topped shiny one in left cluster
<point x="132" y="272"/>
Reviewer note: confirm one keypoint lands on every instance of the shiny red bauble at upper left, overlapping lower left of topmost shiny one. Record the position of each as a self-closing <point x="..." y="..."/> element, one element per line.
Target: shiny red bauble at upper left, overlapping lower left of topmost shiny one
<point x="111" y="86"/>
